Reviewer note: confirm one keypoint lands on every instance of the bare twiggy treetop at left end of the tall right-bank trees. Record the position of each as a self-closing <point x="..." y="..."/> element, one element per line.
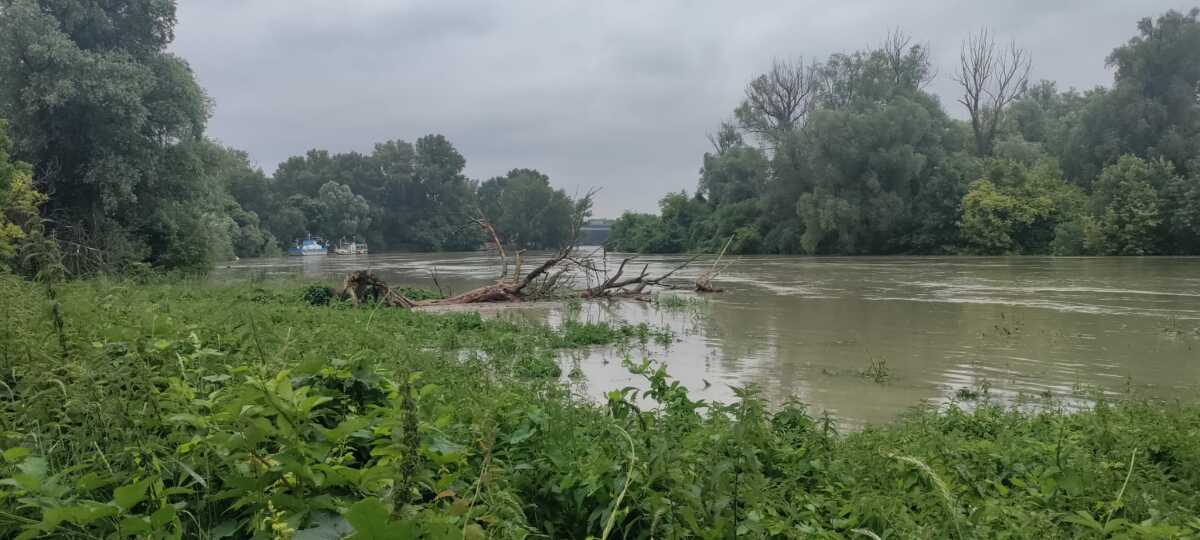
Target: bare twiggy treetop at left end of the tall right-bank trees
<point x="778" y="101"/>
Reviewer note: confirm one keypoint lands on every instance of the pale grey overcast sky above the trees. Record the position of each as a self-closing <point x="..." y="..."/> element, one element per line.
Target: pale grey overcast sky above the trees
<point x="597" y="94"/>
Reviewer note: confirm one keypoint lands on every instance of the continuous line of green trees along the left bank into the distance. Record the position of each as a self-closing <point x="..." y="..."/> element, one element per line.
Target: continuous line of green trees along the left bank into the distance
<point x="105" y="159"/>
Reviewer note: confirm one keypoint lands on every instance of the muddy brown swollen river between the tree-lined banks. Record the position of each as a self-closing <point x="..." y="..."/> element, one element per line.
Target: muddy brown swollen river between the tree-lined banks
<point x="935" y="328"/>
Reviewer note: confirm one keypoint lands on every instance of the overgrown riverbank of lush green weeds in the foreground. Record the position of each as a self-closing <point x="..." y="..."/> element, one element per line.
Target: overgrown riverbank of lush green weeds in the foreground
<point x="236" y="411"/>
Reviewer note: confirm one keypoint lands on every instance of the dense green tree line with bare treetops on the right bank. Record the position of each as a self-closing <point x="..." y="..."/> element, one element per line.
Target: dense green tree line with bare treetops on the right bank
<point x="853" y="155"/>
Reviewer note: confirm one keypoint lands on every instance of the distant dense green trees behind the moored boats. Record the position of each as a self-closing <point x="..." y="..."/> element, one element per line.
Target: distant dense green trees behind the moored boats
<point x="411" y="196"/>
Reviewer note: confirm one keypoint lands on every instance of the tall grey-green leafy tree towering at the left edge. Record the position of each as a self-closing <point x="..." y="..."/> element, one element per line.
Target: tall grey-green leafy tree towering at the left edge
<point x="103" y="111"/>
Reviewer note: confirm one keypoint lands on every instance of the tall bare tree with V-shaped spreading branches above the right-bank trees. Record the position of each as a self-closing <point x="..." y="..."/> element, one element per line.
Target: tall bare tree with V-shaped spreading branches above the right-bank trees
<point x="992" y="79"/>
